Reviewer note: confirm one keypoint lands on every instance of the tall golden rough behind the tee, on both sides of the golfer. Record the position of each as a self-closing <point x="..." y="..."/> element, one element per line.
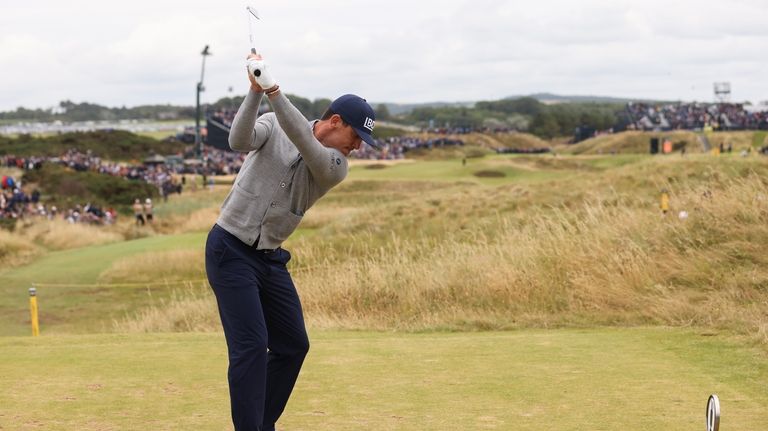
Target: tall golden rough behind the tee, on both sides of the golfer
<point x="592" y="250"/>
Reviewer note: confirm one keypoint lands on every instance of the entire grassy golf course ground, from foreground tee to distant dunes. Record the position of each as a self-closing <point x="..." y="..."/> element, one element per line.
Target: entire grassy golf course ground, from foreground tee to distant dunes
<point x="445" y="292"/>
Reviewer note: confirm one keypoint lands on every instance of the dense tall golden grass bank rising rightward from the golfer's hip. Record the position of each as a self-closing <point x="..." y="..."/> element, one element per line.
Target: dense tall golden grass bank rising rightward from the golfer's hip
<point x="602" y="265"/>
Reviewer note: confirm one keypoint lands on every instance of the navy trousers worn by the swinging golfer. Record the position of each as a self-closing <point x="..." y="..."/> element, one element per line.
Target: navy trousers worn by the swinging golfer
<point x="263" y="325"/>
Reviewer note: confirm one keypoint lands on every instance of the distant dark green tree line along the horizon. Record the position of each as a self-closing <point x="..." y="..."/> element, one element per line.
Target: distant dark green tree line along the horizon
<point x="522" y="114"/>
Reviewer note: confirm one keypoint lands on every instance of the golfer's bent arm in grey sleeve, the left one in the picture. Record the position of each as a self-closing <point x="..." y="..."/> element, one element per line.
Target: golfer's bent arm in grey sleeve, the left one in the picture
<point x="249" y="133"/>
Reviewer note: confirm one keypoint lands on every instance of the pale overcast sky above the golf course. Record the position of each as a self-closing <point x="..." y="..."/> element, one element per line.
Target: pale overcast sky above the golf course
<point x="148" y="52"/>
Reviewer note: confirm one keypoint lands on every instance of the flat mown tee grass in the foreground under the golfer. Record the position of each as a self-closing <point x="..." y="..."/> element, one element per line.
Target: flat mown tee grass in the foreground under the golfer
<point x="597" y="379"/>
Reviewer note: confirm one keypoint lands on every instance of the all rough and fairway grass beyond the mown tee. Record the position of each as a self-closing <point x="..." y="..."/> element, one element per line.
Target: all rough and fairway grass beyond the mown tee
<point x="560" y="241"/>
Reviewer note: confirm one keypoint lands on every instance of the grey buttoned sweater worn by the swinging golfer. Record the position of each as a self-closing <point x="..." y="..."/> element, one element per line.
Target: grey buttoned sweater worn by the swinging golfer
<point x="286" y="171"/>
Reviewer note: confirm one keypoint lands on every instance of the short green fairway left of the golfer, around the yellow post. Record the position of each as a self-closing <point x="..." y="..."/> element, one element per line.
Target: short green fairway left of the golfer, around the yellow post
<point x="71" y="298"/>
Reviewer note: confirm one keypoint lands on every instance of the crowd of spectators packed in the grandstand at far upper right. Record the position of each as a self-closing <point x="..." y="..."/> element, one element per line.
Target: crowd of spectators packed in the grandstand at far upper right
<point x="692" y="116"/>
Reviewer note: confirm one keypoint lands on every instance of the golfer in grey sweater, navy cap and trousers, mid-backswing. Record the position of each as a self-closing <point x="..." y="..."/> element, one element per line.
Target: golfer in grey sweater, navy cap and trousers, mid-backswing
<point x="291" y="163"/>
